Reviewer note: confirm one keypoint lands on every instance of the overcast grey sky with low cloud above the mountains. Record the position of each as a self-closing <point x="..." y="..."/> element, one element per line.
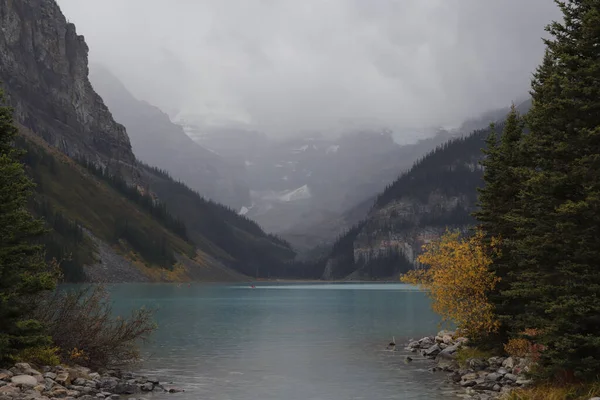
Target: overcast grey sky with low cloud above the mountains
<point x="284" y="66"/>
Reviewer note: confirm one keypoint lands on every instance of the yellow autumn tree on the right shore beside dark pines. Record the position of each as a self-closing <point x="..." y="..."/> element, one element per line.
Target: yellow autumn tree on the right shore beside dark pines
<point x="458" y="279"/>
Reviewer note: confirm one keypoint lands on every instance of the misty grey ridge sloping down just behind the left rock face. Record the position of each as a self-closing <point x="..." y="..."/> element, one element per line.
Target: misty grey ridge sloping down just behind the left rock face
<point x="158" y="141"/>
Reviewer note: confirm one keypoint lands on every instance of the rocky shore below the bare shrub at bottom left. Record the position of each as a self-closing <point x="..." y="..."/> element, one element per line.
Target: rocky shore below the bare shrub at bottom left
<point x="22" y="382"/>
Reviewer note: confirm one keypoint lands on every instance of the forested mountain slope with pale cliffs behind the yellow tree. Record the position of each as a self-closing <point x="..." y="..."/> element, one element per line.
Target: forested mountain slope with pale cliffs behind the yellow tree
<point x="439" y="192"/>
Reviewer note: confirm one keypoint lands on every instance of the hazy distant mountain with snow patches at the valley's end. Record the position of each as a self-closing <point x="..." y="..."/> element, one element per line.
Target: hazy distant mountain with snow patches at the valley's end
<point x="304" y="181"/>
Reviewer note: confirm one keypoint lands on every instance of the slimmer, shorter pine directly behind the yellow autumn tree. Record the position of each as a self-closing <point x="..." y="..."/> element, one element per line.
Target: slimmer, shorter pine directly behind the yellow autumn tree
<point x="497" y="199"/>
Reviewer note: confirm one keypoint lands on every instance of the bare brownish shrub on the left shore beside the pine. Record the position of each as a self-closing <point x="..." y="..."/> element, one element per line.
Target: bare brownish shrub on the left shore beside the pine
<point x="81" y="324"/>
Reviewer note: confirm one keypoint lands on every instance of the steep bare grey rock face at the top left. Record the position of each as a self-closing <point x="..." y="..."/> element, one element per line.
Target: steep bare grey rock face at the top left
<point x="44" y="71"/>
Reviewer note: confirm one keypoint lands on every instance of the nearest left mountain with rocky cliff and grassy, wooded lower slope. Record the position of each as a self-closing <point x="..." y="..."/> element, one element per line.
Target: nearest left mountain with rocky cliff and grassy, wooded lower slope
<point x="118" y="218"/>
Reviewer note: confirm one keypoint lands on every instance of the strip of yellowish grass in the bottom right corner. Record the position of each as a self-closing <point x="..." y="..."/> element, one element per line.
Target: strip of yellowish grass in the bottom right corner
<point x="551" y="392"/>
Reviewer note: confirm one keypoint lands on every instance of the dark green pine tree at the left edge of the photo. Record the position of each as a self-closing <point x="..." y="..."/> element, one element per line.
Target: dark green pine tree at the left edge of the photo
<point x="23" y="271"/>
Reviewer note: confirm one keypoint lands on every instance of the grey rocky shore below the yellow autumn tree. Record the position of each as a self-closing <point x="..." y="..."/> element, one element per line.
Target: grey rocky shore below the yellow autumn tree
<point x="481" y="378"/>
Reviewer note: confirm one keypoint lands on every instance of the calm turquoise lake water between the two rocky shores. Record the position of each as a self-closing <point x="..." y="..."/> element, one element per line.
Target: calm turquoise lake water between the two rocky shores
<point x="286" y="342"/>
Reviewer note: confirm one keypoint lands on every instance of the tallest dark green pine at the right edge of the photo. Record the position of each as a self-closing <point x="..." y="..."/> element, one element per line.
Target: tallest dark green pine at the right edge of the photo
<point x="557" y="242"/>
